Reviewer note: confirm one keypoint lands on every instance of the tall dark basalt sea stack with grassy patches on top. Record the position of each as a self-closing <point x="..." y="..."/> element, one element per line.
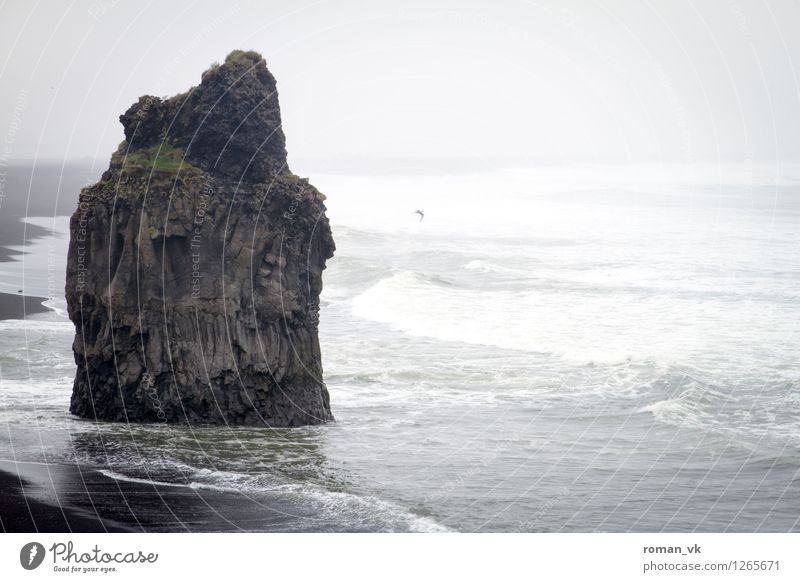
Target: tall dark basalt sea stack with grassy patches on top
<point x="195" y="265"/>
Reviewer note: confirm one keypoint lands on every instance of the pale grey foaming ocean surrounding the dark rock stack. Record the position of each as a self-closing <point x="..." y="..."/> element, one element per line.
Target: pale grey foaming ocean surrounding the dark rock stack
<point x="555" y="349"/>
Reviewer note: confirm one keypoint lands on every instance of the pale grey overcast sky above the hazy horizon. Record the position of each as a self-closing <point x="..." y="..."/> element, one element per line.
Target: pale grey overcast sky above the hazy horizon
<point x="597" y="80"/>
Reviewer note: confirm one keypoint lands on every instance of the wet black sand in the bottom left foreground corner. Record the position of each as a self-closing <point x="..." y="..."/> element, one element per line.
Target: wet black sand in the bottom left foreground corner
<point x="67" y="498"/>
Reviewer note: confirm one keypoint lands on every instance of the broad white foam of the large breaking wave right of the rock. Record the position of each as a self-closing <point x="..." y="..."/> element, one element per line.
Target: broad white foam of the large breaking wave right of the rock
<point x="581" y="327"/>
